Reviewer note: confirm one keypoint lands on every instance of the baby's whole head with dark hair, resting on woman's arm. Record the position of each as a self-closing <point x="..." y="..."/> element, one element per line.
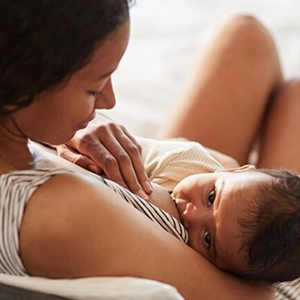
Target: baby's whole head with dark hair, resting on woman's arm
<point x="246" y="222"/>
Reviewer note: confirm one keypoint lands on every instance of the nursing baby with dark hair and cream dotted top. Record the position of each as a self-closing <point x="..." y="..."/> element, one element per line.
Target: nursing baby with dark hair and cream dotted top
<point x="245" y="221"/>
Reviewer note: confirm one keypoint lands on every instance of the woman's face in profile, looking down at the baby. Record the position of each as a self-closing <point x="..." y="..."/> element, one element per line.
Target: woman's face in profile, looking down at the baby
<point x="54" y="116"/>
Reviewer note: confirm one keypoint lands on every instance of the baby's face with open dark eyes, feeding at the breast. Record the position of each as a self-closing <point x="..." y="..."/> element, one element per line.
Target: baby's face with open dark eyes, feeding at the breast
<point x="210" y="205"/>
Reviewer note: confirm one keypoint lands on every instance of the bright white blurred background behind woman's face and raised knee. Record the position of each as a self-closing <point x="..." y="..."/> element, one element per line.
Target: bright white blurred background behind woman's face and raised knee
<point x="166" y="39"/>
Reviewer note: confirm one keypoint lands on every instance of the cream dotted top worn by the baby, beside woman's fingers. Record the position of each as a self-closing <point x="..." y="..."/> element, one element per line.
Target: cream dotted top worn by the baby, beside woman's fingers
<point x="169" y="161"/>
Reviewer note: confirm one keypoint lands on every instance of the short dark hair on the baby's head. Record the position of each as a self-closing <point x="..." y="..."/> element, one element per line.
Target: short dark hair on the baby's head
<point x="272" y="230"/>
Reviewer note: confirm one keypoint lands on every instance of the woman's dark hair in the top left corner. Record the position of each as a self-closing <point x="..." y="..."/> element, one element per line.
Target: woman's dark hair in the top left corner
<point x="43" y="42"/>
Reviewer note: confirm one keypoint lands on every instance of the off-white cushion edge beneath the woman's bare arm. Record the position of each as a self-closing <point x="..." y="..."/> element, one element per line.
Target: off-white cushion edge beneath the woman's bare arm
<point x="104" y="288"/>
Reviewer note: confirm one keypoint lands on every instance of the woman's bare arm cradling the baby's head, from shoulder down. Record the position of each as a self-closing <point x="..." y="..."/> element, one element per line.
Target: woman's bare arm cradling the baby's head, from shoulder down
<point x="75" y="227"/>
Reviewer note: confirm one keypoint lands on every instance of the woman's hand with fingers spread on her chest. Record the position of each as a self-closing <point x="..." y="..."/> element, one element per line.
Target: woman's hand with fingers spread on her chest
<point x="105" y="147"/>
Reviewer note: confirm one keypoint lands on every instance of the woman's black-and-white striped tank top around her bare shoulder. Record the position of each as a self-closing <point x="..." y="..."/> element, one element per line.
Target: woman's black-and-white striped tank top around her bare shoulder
<point x="17" y="187"/>
